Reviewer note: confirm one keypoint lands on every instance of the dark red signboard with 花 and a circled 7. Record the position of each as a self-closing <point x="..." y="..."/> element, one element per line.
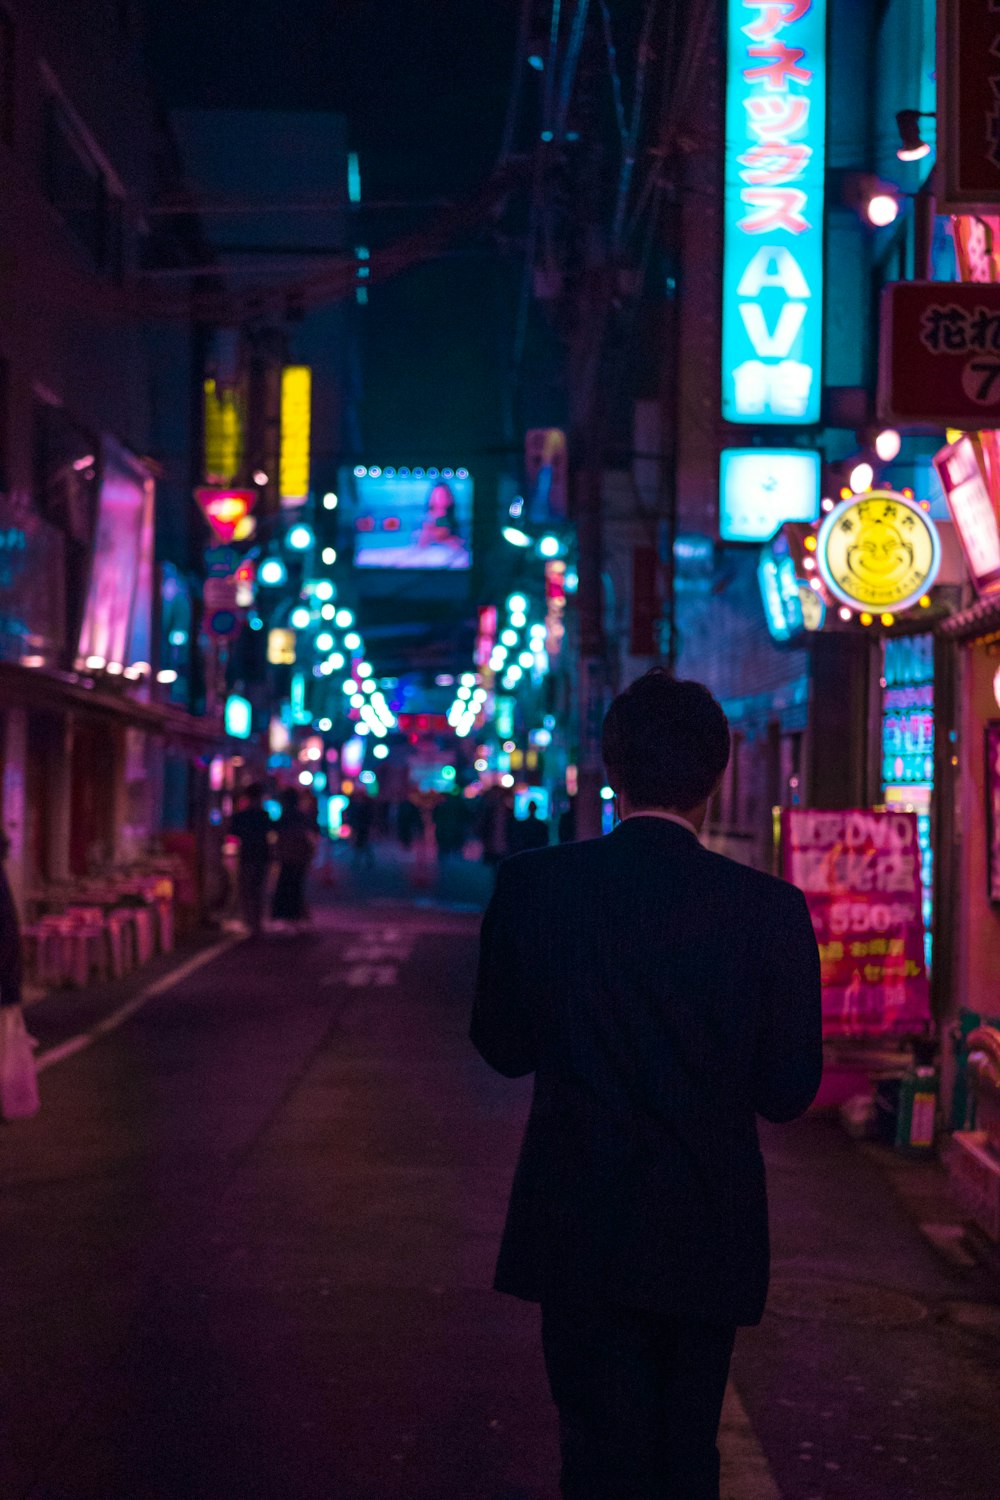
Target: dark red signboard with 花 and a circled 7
<point x="939" y="358"/>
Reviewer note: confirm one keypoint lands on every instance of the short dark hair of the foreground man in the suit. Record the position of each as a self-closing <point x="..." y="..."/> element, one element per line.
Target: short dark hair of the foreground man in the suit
<point x="665" y="743"/>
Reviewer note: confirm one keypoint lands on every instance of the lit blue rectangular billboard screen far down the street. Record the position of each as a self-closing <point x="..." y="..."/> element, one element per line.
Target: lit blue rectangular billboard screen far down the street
<point x="413" y="520"/>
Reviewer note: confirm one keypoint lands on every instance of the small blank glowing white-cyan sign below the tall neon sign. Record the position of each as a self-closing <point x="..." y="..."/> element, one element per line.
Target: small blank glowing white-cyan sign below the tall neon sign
<point x="762" y="488"/>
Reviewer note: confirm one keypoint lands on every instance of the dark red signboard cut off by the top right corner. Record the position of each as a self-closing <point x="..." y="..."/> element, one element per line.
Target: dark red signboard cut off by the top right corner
<point x="969" y="104"/>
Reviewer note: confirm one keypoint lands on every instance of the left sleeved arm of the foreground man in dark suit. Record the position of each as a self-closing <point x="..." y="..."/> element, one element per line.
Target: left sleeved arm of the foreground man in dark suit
<point x="503" y="1031"/>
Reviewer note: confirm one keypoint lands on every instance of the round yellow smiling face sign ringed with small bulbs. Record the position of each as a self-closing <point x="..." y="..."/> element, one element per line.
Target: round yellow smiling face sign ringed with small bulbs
<point x="879" y="551"/>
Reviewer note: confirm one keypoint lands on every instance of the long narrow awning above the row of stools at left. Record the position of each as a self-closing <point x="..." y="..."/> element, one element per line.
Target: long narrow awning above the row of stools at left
<point x="43" y="689"/>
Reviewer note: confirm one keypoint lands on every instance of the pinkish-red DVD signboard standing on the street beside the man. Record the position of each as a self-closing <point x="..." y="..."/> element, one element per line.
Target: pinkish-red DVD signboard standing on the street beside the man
<point x="861" y="877"/>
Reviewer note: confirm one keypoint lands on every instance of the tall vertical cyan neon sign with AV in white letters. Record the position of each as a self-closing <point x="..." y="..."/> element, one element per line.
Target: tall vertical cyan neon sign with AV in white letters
<point x="773" y="278"/>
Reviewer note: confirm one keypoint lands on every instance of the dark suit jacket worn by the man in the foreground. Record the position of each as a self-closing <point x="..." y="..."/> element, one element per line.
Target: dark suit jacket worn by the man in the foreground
<point x="663" y="998"/>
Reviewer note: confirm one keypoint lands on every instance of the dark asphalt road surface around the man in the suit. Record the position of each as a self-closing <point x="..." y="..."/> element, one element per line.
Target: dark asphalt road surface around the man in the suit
<point x="248" y="1244"/>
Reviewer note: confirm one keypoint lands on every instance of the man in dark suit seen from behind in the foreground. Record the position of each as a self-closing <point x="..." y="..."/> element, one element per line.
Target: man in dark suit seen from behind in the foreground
<point x="663" y="997"/>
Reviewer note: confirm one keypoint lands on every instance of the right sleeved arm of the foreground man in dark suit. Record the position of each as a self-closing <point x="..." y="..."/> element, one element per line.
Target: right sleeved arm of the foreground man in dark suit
<point x="789" y="1060"/>
